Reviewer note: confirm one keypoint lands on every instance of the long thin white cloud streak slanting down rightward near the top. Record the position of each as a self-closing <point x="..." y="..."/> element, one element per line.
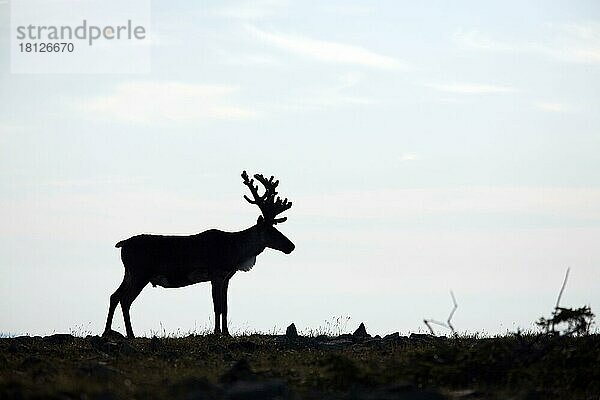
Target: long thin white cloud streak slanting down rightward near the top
<point x="326" y="51"/>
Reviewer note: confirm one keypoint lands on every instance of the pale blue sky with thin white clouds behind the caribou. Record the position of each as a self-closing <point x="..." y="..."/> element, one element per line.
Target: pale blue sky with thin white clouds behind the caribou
<point x="426" y="146"/>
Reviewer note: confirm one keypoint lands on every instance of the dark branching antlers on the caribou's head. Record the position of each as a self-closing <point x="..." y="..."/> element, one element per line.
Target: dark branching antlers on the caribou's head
<point x="269" y="205"/>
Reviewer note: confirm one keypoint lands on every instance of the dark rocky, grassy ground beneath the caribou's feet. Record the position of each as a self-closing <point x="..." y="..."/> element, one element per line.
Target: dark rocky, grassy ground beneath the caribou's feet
<point x="353" y="366"/>
